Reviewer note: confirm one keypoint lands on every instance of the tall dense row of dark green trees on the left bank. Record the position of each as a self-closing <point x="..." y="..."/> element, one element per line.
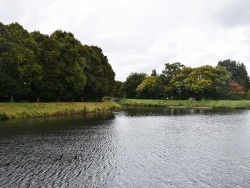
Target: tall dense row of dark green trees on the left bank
<point x="35" y="66"/>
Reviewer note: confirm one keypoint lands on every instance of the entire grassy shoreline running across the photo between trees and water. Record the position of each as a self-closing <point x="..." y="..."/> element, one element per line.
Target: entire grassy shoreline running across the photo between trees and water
<point x="31" y="110"/>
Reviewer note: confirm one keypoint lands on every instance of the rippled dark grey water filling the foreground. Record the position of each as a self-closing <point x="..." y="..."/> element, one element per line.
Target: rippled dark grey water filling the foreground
<point x="149" y="147"/>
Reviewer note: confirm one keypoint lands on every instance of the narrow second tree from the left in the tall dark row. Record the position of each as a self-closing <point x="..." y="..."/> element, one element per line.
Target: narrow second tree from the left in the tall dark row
<point x="49" y="52"/>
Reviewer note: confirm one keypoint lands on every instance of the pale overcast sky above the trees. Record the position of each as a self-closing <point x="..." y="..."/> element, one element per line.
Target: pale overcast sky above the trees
<point x="142" y="35"/>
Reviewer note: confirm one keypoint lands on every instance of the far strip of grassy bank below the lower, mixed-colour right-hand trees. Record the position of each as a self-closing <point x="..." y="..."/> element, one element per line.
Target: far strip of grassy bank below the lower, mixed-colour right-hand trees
<point x="223" y="104"/>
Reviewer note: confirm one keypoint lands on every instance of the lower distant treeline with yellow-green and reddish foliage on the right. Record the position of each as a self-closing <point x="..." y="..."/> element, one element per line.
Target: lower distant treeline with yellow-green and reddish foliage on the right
<point x="228" y="80"/>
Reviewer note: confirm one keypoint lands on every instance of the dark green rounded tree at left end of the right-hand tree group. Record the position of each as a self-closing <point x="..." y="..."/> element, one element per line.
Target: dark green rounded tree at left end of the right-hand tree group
<point x="130" y="85"/>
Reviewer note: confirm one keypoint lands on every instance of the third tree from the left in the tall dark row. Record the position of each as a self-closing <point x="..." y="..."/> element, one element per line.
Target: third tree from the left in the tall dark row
<point x="71" y="77"/>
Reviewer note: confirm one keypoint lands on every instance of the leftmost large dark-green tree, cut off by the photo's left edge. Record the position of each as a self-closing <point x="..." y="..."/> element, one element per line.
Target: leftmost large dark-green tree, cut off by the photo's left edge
<point x="19" y="67"/>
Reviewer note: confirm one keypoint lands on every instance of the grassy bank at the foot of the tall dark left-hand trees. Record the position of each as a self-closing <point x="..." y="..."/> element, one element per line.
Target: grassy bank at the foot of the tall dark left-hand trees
<point x="25" y="110"/>
